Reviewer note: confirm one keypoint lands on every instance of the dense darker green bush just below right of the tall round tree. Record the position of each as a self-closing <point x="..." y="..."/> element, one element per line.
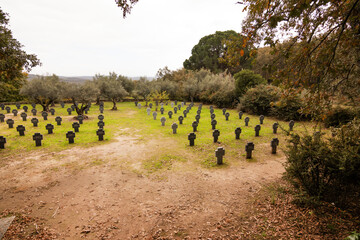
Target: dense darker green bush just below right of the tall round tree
<point x="246" y="79"/>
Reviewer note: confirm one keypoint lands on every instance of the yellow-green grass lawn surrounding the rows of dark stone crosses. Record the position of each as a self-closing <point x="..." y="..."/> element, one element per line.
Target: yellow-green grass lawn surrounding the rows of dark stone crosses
<point x="138" y="123"/>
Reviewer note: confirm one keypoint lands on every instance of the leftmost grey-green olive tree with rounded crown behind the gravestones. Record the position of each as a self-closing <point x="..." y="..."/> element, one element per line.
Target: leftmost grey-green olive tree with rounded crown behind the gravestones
<point x="43" y="90"/>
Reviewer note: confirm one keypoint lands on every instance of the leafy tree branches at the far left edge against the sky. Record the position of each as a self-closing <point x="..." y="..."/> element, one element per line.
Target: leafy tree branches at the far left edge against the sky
<point x="13" y="62"/>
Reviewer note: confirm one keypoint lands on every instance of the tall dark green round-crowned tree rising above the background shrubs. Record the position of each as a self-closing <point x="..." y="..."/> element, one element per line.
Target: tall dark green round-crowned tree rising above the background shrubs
<point x="210" y="50"/>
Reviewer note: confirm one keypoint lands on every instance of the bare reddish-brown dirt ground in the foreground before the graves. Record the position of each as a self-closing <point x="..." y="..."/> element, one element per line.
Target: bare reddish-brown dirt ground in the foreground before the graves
<point x="101" y="192"/>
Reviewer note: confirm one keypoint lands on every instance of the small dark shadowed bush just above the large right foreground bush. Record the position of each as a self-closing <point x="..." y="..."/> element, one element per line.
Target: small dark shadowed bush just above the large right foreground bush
<point x="339" y="116"/>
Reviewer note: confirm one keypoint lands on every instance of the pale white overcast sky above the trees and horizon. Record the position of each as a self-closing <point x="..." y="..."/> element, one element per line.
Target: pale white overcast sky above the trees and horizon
<point x="85" y="37"/>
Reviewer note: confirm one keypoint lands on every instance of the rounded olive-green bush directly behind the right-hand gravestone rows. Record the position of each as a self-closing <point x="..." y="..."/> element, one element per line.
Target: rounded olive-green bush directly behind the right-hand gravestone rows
<point x="259" y="100"/>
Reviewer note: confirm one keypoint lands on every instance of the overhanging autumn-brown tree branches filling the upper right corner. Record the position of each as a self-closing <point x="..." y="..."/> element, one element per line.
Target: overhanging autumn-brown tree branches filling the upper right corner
<point x="317" y="40"/>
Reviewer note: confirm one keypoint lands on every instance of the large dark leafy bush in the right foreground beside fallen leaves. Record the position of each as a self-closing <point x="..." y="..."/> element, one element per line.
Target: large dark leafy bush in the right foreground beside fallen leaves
<point x="327" y="169"/>
